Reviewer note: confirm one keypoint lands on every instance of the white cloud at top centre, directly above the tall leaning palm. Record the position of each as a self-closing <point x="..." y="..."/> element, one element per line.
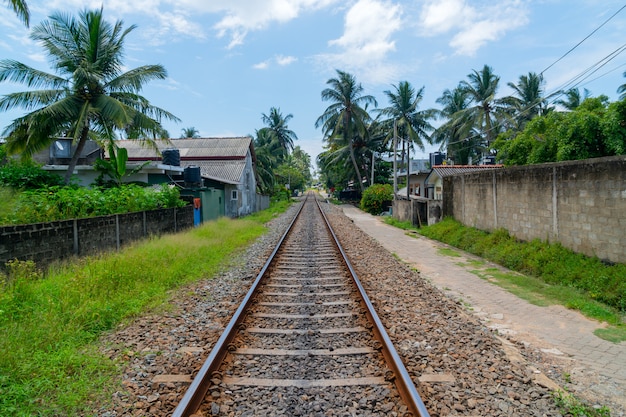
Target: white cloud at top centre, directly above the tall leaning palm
<point x="367" y="40"/>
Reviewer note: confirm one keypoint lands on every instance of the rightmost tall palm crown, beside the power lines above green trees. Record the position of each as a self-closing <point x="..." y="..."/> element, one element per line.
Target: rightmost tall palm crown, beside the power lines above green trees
<point x="528" y="99"/>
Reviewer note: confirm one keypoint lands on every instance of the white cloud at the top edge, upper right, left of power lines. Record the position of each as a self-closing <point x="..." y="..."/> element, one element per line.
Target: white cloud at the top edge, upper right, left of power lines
<point x="472" y="25"/>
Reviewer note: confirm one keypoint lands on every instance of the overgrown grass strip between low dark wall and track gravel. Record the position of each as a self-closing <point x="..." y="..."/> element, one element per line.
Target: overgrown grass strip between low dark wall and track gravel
<point x="50" y="323"/>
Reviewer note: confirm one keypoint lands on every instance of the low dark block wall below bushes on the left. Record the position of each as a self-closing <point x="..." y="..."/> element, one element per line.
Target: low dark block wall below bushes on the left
<point x="46" y="243"/>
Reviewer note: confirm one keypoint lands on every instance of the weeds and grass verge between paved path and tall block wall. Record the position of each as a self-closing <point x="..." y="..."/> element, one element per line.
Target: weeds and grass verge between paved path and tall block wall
<point x="547" y="273"/>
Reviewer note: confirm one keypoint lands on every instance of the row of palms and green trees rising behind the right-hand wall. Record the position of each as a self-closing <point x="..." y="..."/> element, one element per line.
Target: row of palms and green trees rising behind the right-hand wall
<point x="527" y="127"/>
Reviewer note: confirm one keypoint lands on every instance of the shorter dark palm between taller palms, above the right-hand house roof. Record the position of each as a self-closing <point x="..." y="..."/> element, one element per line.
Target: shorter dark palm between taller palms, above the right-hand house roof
<point x="456" y="135"/>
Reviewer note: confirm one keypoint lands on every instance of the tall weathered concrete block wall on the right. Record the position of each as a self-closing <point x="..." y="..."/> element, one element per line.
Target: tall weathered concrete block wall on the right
<point x="581" y="204"/>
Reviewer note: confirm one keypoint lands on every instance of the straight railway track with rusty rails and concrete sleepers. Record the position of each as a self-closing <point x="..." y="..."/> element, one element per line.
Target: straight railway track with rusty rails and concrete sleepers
<point x="305" y="340"/>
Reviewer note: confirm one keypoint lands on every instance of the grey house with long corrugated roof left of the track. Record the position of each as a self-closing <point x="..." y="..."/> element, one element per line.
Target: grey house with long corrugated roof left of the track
<point x="219" y="171"/>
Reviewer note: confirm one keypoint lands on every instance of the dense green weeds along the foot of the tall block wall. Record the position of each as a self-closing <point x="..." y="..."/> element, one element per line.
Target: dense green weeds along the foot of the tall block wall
<point x="551" y="262"/>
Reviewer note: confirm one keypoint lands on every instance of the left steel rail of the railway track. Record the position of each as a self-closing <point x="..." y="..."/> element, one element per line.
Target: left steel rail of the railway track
<point x="194" y="396"/>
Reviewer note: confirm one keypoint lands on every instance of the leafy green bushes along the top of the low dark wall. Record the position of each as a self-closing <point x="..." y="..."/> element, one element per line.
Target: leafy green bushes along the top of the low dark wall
<point x="61" y="203"/>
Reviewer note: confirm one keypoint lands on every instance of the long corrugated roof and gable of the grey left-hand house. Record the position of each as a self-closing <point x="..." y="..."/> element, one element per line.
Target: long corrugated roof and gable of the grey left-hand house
<point x="219" y="159"/>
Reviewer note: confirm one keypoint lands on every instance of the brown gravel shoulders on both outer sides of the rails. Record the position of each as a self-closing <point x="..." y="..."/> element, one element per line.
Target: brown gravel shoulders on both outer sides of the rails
<point x="460" y="366"/>
